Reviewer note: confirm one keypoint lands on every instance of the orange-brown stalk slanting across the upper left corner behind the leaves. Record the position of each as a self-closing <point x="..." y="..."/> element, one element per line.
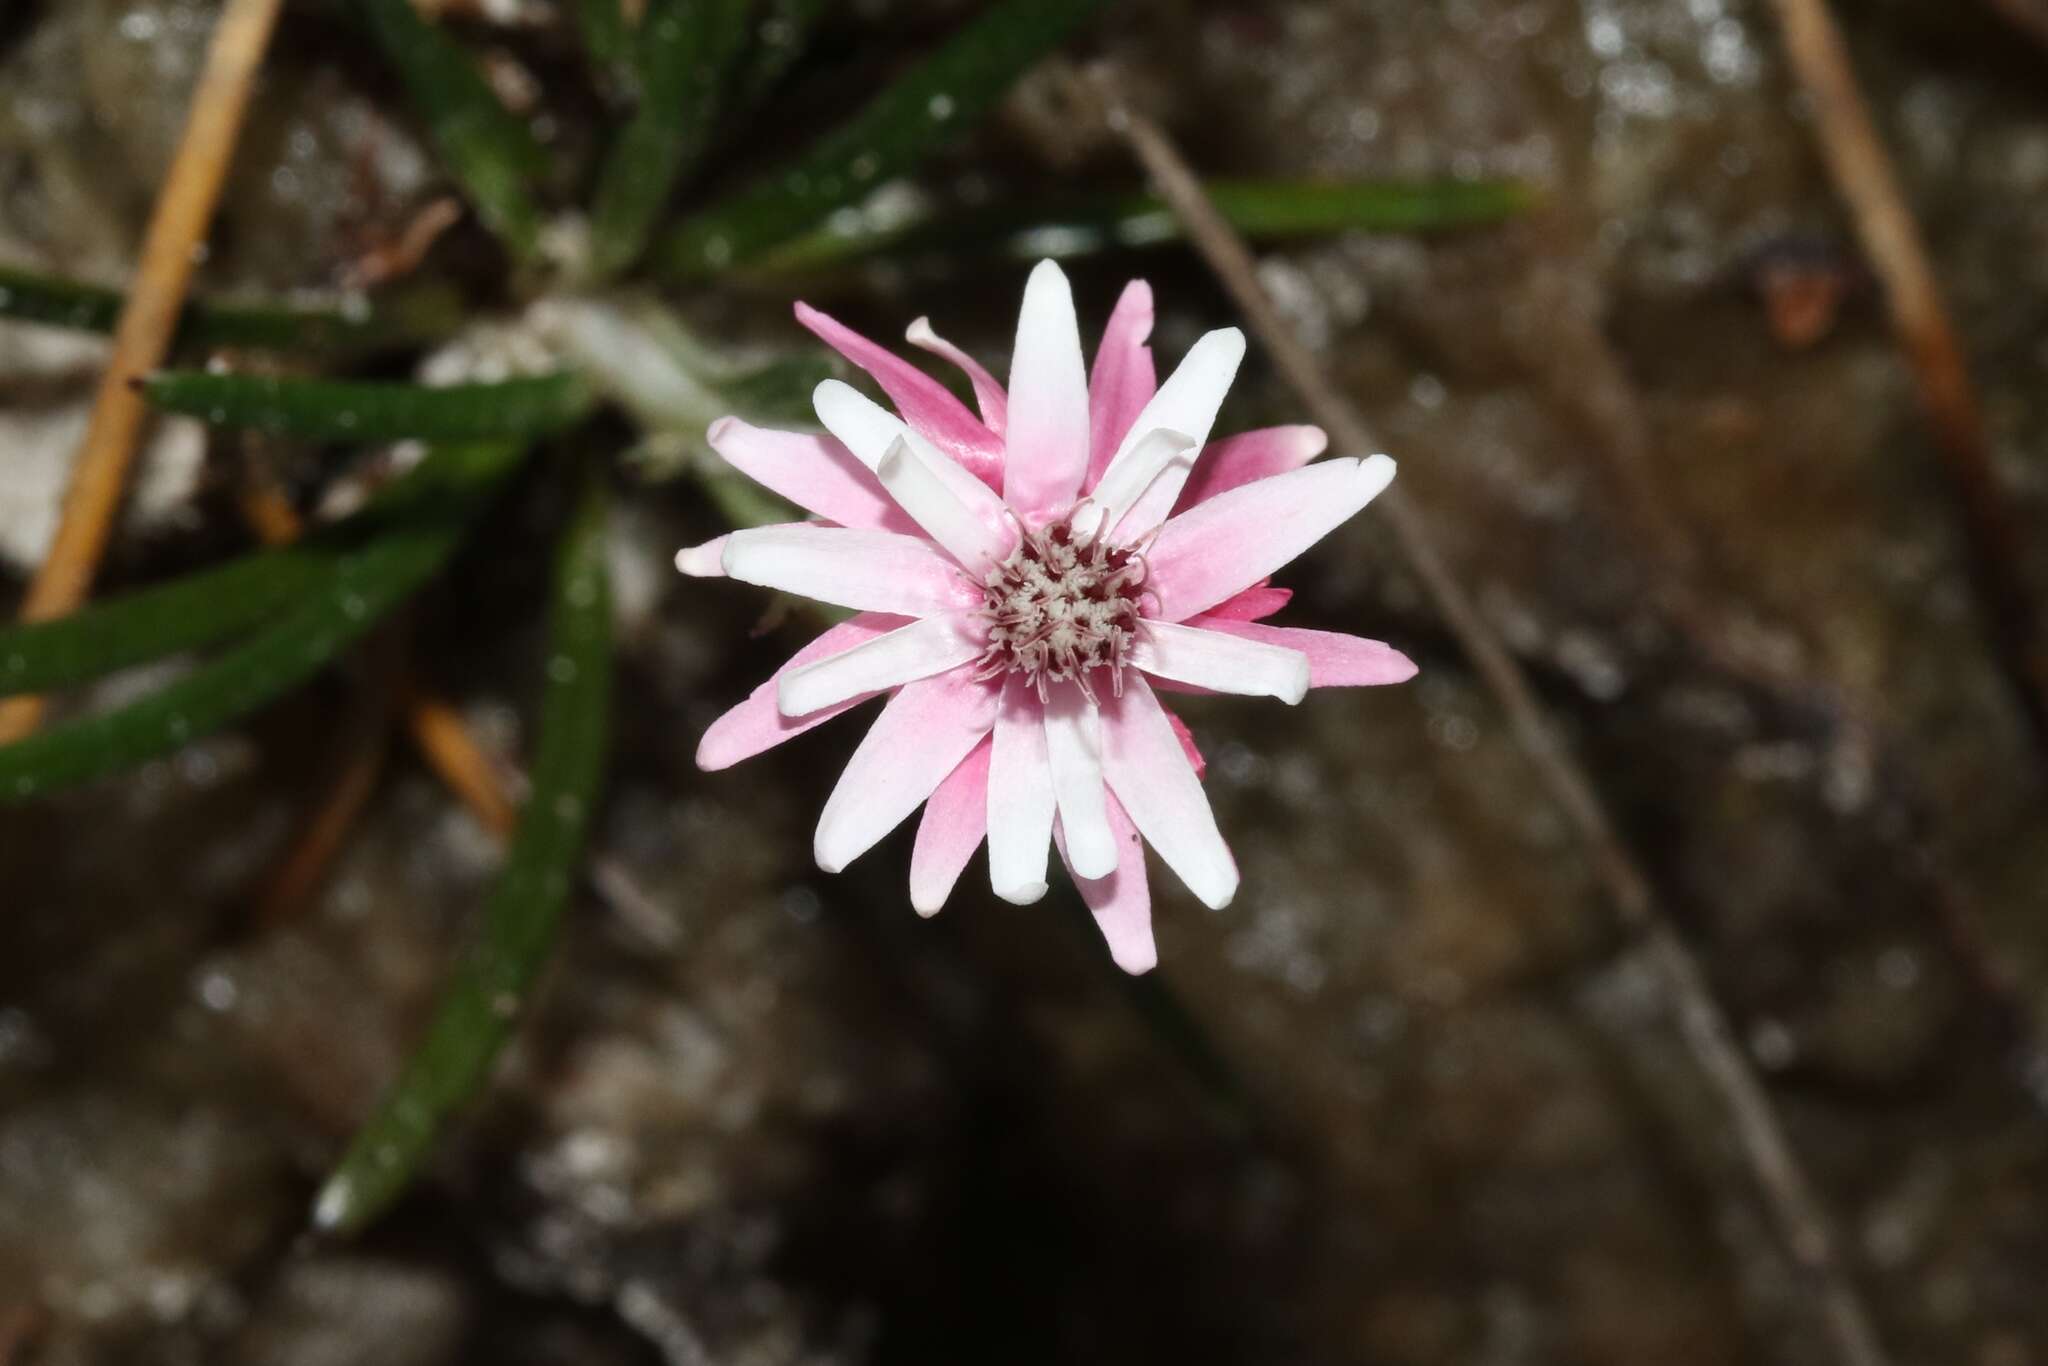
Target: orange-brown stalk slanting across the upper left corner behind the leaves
<point x="163" y="275"/>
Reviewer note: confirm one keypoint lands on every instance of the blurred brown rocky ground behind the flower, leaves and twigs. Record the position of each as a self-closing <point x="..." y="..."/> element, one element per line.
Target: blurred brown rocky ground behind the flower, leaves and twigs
<point x="1414" y="1099"/>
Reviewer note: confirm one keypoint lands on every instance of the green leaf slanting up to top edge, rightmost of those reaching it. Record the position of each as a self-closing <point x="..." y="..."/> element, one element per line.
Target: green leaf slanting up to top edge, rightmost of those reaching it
<point x="900" y="128"/>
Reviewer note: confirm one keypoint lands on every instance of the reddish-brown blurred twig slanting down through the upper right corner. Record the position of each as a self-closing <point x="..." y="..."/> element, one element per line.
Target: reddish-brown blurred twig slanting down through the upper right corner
<point x="1891" y="239"/>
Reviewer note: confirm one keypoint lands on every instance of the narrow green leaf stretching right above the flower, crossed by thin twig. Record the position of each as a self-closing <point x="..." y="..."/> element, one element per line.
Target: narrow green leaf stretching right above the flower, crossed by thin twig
<point x="1263" y="210"/>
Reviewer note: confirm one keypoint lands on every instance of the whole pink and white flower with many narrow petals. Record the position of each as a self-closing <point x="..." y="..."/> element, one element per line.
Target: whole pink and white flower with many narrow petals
<point x="1023" y="581"/>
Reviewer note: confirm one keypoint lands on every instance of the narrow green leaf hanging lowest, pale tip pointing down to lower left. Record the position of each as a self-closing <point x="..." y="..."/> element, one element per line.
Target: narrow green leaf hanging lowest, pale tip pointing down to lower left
<point x="490" y="986"/>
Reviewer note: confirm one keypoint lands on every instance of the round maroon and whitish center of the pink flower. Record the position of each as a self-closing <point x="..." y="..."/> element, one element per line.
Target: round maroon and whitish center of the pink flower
<point x="1064" y="607"/>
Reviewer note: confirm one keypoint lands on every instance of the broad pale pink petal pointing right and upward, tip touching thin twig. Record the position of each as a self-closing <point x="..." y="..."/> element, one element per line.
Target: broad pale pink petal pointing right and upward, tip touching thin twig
<point x="1232" y="542"/>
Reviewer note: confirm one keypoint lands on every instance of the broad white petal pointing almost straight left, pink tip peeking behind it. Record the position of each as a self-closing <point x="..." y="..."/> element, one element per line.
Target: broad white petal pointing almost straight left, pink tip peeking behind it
<point x="865" y="570"/>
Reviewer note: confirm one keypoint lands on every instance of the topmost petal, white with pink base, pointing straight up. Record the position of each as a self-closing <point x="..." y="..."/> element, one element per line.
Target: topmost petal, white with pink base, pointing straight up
<point x="1048" y="439"/>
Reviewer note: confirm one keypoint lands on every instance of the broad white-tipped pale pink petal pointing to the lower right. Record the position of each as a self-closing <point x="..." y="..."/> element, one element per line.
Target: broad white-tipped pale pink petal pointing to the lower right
<point x="1150" y="773"/>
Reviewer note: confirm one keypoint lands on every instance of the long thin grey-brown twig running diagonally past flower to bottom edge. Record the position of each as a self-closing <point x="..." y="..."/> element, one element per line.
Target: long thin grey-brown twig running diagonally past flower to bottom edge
<point x="1783" y="1183"/>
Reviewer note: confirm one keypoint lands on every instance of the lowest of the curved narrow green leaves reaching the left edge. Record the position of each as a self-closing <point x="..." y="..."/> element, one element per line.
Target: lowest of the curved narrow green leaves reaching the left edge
<point x="361" y="589"/>
